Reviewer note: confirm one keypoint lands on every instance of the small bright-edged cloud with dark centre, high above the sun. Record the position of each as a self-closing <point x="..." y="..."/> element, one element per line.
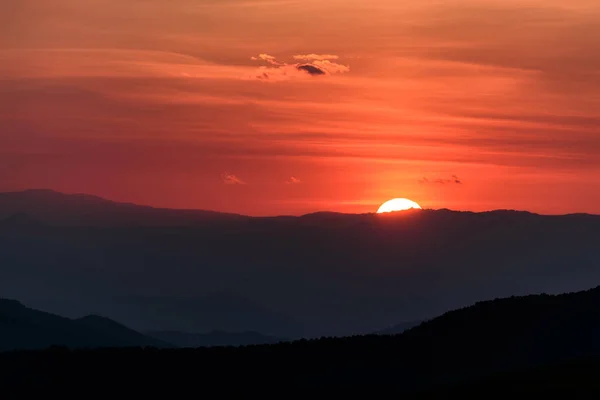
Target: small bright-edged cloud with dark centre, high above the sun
<point x="312" y="65"/>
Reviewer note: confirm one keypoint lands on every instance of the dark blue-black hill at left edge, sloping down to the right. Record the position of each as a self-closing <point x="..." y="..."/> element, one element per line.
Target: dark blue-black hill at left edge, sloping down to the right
<point x="26" y="328"/>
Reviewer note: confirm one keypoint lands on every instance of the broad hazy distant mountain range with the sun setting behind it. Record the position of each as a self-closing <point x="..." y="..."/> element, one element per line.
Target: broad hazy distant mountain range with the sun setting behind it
<point x="322" y="274"/>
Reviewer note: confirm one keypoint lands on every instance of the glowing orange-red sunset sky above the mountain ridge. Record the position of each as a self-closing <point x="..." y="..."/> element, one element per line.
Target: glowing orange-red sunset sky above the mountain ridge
<point x="269" y="107"/>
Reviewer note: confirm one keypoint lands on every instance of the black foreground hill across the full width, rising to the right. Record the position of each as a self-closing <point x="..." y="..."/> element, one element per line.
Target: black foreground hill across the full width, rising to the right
<point x="529" y="343"/>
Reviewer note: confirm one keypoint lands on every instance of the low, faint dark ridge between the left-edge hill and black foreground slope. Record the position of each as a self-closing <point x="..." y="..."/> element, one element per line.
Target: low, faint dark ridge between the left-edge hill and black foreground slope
<point x="214" y="338"/>
